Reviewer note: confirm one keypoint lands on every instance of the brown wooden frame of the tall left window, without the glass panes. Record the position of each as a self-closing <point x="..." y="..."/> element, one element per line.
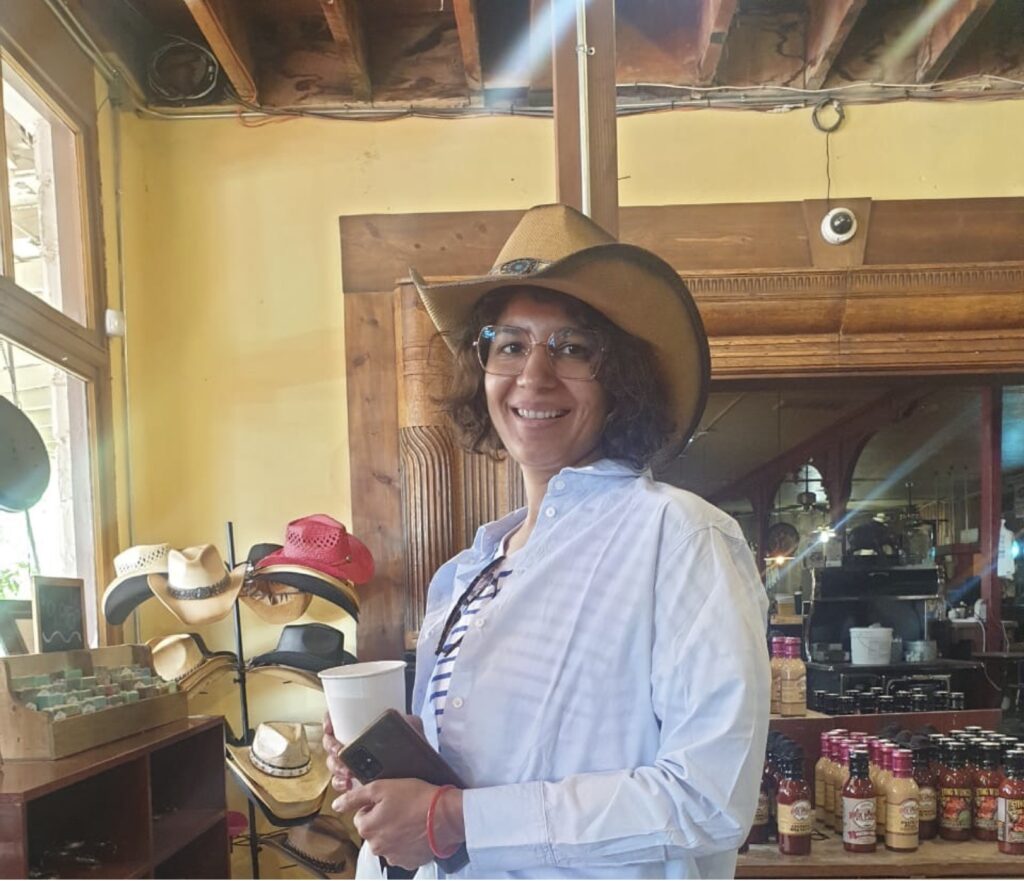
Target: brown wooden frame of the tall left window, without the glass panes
<point x="36" y="326"/>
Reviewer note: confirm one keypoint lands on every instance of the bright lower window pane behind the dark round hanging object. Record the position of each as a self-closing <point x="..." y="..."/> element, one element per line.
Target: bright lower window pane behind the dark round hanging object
<point x="56" y="536"/>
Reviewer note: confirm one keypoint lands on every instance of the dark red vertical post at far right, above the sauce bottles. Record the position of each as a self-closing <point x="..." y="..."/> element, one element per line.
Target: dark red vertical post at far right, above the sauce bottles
<point x="992" y="512"/>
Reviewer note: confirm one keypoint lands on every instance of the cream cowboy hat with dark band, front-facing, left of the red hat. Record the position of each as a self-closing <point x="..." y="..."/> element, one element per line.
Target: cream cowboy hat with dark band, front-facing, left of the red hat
<point x="197" y="589"/>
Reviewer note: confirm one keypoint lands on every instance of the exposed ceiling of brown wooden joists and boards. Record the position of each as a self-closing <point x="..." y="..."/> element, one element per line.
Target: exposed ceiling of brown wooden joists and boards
<point x="318" y="55"/>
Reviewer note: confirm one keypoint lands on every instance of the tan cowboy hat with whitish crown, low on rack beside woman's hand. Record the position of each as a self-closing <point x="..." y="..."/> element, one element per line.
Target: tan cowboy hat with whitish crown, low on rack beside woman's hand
<point x="285" y="769"/>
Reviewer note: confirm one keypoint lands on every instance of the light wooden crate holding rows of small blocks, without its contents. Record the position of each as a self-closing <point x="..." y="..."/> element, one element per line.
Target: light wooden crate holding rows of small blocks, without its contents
<point x="28" y="734"/>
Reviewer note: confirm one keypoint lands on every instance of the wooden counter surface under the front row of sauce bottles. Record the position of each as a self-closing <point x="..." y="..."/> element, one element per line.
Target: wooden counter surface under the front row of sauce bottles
<point x="936" y="859"/>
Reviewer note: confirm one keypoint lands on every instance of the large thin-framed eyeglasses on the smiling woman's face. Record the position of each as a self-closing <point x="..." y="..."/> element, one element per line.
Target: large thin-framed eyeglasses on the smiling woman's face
<point x="574" y="354"/>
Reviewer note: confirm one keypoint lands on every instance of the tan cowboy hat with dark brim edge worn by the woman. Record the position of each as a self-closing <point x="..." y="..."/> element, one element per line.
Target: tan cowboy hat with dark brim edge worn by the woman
<point x="558" y="248"/>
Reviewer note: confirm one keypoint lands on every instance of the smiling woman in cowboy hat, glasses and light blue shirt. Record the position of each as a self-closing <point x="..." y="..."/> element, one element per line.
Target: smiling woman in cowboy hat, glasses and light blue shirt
<point x="594" y="666"/>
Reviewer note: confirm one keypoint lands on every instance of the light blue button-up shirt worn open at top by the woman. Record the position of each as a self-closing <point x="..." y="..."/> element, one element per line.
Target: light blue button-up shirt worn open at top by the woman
<point x="611" y="720"/>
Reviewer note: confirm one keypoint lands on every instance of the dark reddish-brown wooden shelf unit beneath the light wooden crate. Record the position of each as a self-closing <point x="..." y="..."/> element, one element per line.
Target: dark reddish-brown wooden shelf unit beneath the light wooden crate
<point x="157" y="796"/>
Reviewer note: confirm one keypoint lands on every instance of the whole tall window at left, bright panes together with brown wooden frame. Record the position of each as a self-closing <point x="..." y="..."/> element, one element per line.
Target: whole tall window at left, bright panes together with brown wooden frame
<point x="55" y="364"/>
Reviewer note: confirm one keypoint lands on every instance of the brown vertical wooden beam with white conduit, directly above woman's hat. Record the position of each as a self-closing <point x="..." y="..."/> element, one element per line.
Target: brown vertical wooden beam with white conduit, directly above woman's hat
<point x="604" y="175"/>
